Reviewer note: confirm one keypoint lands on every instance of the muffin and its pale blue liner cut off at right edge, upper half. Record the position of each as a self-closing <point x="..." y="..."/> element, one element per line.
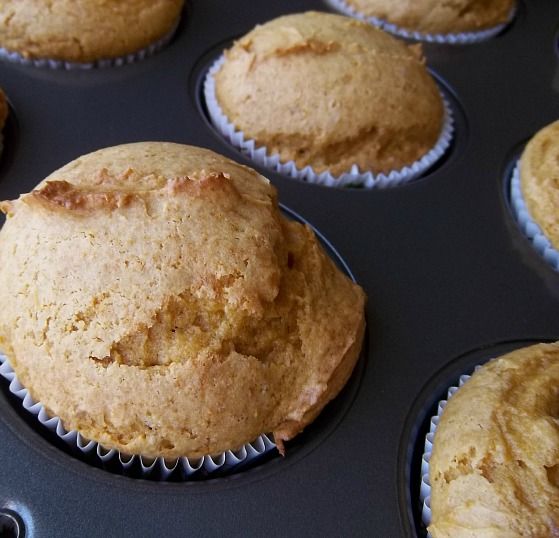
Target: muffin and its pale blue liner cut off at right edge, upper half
<point x="534" y="194"/>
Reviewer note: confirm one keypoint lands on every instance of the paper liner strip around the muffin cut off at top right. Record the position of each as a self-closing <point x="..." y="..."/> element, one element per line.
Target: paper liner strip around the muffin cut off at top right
<point x="461" y="38"/>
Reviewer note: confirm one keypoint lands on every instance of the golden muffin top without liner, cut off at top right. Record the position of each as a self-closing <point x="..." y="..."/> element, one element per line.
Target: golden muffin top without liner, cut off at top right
<point x="436" y="17"/>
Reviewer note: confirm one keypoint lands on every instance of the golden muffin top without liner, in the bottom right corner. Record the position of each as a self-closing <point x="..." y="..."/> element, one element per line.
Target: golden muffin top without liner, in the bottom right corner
<point x="495" y="460"/>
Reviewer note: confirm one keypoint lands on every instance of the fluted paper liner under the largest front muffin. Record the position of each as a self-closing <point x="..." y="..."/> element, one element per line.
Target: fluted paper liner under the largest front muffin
<point x="158" y="468"/>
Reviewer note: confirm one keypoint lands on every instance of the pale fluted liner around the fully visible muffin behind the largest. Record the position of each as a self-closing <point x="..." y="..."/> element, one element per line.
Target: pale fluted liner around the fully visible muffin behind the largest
<point x="354" y="177"/>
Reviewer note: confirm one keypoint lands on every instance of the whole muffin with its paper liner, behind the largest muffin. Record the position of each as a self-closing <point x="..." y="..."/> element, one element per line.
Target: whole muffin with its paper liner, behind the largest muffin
<point x="329" y="100"/>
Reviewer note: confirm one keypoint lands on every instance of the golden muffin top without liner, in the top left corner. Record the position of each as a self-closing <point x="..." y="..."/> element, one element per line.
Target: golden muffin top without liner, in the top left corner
<point x="84" y="30"/>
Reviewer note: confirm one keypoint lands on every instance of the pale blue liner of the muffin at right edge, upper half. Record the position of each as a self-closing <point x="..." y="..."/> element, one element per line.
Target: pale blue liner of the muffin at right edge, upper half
<point x="527" y="224"/>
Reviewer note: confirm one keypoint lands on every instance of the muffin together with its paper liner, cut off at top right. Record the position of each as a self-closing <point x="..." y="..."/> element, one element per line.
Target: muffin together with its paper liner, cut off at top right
<point x="457" y="23"/>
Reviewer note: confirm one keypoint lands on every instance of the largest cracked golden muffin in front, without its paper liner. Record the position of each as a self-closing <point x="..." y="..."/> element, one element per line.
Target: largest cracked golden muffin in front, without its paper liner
<point x="157" y="301"/>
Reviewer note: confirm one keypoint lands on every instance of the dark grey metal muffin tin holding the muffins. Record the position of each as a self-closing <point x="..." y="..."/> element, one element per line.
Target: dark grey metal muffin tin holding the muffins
<point x="451" y="282"/>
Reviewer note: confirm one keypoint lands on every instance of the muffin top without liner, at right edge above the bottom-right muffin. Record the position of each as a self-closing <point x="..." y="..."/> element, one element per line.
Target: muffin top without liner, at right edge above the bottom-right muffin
<point x="539" y="180"/>
